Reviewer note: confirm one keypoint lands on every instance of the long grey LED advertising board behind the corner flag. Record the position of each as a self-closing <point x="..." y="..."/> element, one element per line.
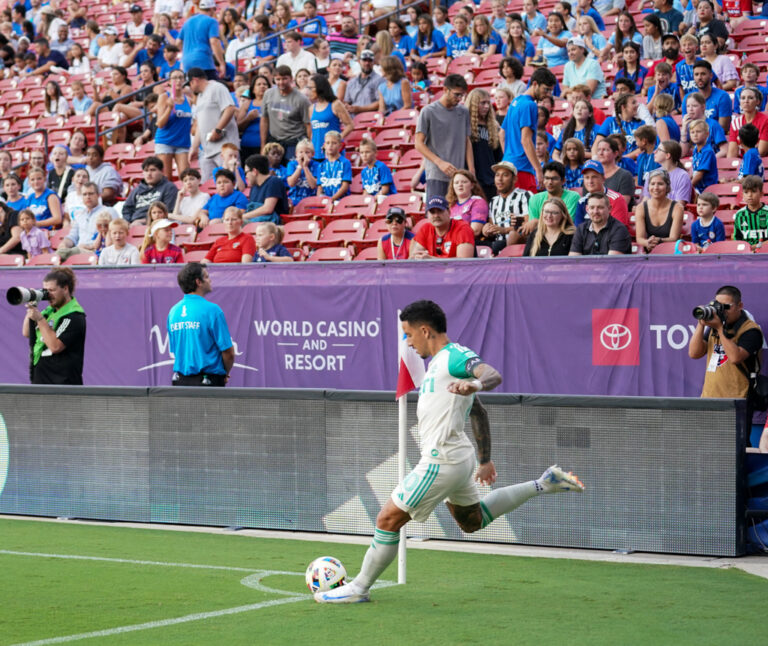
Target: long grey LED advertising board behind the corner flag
<point x="661" y="475"/>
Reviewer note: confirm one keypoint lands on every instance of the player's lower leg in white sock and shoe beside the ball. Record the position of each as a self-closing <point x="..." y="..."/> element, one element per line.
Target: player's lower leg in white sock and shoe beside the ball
<point x="380" y="554"/>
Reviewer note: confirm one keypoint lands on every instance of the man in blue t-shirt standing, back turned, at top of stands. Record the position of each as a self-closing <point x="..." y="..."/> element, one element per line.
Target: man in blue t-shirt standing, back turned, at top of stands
<point x="201" y="47"/>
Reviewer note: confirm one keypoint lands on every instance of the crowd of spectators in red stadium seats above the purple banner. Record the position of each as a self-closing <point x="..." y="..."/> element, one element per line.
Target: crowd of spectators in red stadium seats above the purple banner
<point x="278" y="131"/>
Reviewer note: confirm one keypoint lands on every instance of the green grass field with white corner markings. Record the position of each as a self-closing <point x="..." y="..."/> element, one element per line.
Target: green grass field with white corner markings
<point x="137" y="584"/>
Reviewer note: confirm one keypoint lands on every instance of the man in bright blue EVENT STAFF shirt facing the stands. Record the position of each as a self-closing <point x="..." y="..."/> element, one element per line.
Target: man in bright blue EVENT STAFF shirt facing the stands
<point x="198" y="333"/>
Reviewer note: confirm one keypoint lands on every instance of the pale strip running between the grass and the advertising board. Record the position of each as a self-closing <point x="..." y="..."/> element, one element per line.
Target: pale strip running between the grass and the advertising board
<point x="756" y="565"/>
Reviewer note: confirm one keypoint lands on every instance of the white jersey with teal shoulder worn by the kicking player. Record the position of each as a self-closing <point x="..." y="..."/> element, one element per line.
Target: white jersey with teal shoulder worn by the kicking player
<point x="442" y="414"/>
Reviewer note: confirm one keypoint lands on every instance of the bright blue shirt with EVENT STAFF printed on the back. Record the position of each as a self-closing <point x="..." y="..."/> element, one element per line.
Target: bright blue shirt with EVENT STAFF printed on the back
<point x="197" y="335"/>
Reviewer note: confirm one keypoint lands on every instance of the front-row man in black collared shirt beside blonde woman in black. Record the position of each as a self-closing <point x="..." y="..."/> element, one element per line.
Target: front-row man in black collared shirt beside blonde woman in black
<point x="601" y="234"/>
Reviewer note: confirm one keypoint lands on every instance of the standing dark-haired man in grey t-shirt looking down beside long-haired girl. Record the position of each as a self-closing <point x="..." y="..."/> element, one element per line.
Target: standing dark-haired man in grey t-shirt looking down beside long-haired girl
<point x="443" y="154"/>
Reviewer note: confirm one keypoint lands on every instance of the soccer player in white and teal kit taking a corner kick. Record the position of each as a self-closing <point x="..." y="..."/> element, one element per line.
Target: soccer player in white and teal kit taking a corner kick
<point x="445" y="471"/>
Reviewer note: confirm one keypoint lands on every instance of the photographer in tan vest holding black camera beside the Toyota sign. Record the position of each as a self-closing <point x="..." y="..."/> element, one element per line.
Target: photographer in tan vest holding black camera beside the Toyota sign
<point x="731" y="342"/>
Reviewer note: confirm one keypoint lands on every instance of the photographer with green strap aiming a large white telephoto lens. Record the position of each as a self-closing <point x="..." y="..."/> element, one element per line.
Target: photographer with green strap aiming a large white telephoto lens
<point x="57" y="334"/>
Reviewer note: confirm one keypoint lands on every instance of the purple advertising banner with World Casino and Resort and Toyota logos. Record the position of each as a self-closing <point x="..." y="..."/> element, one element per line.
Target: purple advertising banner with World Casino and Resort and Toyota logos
<point x="603" y="326"/>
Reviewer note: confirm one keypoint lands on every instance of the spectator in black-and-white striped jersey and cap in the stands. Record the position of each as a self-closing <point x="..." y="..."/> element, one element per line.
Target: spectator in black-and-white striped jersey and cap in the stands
<point x="507" y="209"/>
